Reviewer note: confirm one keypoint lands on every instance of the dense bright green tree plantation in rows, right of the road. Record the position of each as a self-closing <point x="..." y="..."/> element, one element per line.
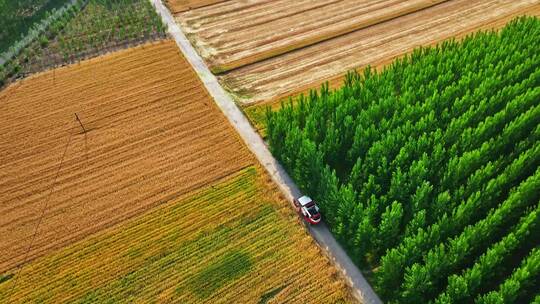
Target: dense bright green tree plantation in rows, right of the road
<point x="428" y="172"/>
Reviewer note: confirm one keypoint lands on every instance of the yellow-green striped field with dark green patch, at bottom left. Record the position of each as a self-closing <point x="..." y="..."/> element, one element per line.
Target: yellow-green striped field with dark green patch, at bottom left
<point x="231" y="242"/>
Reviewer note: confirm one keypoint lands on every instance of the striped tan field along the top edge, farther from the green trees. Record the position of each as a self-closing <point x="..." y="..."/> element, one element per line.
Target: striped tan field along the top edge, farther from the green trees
<point x="238" y="33"/>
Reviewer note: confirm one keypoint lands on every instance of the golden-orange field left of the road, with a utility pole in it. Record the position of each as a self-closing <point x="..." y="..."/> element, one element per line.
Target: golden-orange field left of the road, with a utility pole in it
<point x="154" y="134"/>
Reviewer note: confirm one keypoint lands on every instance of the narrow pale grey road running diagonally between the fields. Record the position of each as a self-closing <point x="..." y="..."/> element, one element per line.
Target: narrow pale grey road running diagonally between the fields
<point x="361" y="288"/>
